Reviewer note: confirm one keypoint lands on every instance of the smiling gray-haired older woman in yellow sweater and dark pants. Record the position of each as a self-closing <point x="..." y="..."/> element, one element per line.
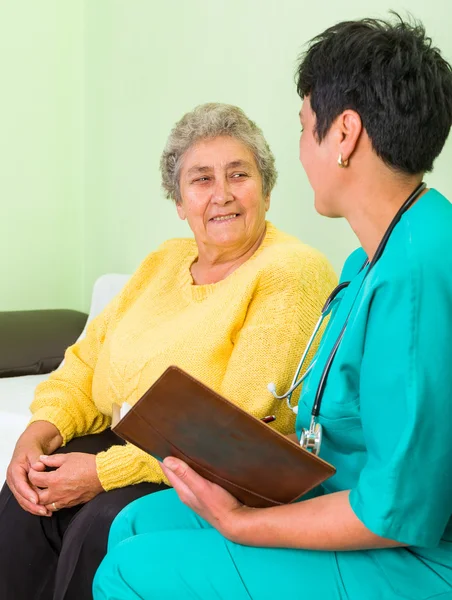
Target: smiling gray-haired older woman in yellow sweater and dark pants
<point x="225" y="307"/>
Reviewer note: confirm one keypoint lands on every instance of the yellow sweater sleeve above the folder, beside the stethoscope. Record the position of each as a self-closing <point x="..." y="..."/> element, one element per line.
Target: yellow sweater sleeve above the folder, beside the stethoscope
<point x="278" y="325"/>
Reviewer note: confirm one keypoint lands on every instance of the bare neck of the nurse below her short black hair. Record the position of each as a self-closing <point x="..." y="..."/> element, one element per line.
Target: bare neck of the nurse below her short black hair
<point x="372" y="202"/>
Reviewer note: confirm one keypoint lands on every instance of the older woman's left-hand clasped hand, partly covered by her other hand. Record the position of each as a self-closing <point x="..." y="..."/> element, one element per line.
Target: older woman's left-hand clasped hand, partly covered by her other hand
<point x="17" y="478"/>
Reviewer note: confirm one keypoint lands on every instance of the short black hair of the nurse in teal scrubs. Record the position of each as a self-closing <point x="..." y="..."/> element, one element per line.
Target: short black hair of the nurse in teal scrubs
<point x="393" y="77"/>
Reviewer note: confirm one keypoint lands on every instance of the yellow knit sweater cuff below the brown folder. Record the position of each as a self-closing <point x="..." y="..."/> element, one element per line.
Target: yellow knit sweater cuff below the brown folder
<point x="127" y="465"/>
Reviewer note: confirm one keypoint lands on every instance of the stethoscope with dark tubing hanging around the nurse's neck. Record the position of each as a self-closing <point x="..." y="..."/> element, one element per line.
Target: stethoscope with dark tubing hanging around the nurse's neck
<point x="311" y="439"/>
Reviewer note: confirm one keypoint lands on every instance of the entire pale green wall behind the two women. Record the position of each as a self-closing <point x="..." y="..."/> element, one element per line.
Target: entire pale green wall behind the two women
<point x="92" y="90"/>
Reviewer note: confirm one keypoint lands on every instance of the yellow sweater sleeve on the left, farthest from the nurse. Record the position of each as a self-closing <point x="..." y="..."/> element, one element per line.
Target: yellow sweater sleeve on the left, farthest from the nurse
<point x="65" y="398"/>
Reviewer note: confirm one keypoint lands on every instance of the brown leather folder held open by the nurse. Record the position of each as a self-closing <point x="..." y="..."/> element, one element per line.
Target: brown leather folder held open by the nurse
<point x="179" y="416"/>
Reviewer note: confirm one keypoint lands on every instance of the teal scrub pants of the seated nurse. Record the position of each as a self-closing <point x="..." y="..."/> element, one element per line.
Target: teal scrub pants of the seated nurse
<point x="160" y="549"/>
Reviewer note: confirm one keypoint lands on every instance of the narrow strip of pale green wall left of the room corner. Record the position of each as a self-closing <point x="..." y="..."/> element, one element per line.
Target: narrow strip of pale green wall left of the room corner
<point x="41" y="144"/>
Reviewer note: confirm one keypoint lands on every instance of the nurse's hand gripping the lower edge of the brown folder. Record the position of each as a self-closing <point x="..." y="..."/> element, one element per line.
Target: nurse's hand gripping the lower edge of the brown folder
<point x="208" y="500"/>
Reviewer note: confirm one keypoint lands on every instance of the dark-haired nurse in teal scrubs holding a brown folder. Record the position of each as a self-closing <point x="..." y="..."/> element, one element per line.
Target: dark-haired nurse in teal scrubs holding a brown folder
<point x="377" y="110"/>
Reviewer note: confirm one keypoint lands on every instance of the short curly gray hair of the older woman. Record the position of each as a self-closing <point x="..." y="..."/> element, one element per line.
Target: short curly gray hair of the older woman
<point x="209" y="121"/>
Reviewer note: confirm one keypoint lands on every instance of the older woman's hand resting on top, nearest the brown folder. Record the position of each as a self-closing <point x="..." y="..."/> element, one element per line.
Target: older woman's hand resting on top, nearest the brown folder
<point x="75" y="480"/>
